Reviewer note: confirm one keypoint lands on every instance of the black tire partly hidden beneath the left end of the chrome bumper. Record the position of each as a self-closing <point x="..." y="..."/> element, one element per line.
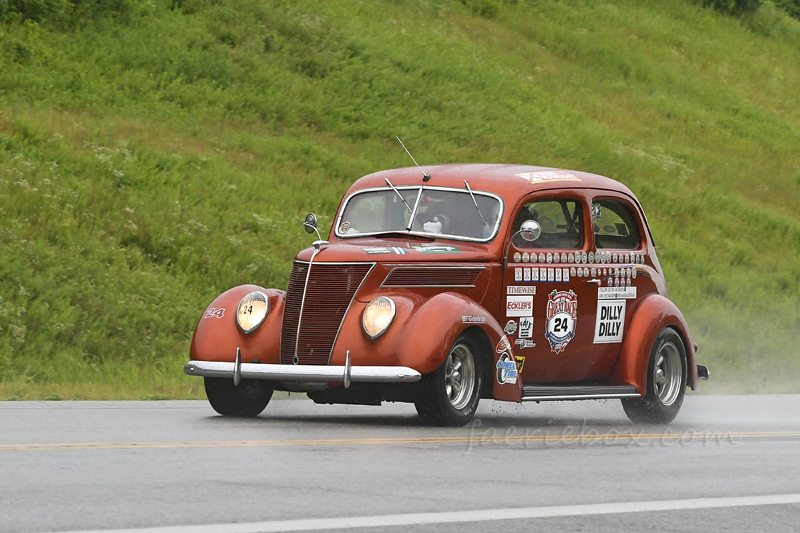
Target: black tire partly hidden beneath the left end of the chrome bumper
<point x="247" y="400"/>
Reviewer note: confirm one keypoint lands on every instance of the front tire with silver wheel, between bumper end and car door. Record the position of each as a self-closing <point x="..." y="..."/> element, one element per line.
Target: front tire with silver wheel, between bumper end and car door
<point x="449" y="396"/>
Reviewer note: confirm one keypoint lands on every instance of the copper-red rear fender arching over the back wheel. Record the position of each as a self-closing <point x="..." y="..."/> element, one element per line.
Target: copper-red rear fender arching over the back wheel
<point x="653" y="314"/>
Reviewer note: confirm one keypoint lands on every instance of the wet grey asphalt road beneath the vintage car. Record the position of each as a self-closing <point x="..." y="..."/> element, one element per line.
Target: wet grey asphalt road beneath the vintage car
<point x="726" y="463"/>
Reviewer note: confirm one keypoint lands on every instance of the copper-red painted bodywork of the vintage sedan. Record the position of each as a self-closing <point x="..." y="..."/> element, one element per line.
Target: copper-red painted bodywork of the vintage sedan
<point x="437" y="296"/>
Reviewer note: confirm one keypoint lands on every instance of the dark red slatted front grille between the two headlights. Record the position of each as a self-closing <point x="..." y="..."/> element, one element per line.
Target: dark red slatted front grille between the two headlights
<point x="330" y="290"/>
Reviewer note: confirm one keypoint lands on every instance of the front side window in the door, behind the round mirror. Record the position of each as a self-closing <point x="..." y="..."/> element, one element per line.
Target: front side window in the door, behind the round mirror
<point x="561" y="222"/>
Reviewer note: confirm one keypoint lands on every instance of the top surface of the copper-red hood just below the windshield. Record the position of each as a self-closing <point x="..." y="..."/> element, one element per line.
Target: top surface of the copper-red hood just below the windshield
<point x="398" y="250"/>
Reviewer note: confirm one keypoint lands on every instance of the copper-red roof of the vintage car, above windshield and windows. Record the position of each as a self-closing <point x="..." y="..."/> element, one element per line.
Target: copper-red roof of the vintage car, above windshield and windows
<point x="507" y="180"/>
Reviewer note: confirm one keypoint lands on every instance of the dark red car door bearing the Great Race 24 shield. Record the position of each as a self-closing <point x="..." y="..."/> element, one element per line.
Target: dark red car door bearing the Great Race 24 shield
<point x="550" y="296"/>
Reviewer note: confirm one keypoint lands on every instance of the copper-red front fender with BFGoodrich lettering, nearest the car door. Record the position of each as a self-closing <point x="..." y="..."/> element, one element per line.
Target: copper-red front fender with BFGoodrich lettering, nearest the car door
<point x="421" y="336"/>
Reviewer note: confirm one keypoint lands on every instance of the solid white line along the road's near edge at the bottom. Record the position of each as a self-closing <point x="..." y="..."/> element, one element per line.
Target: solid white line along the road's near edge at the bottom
<point x="314" y="524"/>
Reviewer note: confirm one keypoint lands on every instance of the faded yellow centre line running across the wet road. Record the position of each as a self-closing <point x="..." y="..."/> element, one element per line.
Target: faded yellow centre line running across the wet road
<point x="496" y="437"/>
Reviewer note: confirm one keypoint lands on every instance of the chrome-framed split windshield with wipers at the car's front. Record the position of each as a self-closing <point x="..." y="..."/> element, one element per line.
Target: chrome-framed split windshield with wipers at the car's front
<point x="438" y="212"/>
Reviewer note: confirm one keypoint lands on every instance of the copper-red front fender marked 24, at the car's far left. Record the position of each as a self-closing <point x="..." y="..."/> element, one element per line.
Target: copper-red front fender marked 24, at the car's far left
<point x="217" y="336"/>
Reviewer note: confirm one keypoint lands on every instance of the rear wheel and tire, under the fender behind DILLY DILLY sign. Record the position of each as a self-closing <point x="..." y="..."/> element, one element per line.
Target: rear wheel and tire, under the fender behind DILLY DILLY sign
<point x="666" y="382"/>
